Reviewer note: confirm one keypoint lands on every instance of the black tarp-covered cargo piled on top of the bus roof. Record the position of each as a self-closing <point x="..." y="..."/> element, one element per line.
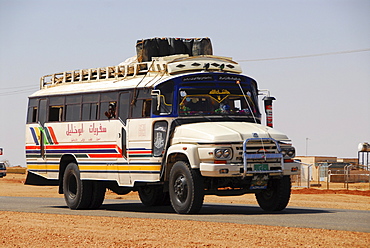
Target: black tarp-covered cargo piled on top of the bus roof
<point x="159" y="47"/>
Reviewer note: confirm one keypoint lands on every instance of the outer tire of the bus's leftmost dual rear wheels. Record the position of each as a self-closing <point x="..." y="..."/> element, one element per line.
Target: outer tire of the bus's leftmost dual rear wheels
<point x="77" y="193"/>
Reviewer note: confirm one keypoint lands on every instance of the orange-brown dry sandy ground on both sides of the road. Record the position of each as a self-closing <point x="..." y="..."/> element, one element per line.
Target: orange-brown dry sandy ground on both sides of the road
<point x="46" y="230"/>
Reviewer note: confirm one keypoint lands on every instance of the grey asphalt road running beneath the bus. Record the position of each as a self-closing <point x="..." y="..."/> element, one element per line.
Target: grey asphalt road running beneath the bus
<point x="335" y="219"/>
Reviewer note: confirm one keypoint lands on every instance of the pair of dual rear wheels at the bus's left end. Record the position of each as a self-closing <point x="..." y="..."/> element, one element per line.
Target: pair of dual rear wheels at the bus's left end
<point x="81" y="194"/>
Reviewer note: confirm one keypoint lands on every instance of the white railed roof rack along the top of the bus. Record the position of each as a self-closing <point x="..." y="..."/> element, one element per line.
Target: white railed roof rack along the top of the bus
<point x="172" y="64"/>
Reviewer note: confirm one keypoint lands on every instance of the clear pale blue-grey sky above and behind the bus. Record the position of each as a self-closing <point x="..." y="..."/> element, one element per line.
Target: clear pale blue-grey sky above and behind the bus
<point x="313" y="56"/>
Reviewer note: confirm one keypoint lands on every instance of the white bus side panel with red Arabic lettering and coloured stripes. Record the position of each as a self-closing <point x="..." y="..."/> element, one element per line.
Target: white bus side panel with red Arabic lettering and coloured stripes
<point x="95" y="145"/>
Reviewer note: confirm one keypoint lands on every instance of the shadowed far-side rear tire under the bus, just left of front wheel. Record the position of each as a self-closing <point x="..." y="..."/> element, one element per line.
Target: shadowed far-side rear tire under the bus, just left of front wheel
<point x="154" y="196"/>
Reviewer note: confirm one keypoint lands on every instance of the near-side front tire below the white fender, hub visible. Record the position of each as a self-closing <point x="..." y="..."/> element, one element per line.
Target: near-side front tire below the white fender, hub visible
<point x="186" y="189"/>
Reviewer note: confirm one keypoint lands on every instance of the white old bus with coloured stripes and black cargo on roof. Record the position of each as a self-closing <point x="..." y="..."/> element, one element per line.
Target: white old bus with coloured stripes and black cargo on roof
<point x="174" y="123"/>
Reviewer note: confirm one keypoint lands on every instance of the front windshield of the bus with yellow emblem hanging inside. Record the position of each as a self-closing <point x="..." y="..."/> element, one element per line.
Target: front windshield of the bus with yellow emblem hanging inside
<point x="216" y="101"/>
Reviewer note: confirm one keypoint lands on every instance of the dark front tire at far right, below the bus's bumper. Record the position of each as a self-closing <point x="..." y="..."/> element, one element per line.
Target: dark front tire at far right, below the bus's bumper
<point x="276" y="196"/>
